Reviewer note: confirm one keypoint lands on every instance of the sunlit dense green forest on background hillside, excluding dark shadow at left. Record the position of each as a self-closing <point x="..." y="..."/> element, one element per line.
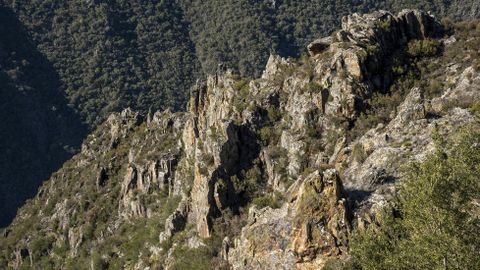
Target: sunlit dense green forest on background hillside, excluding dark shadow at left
<point x="111" y="54"/>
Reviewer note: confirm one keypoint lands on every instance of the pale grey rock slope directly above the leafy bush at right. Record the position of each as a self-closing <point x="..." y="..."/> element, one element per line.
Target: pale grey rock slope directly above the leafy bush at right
<point x="408" y="137"/>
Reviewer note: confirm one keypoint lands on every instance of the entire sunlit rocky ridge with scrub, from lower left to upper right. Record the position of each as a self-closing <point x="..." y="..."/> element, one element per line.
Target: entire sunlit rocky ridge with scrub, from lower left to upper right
<point x="271" y="173"/>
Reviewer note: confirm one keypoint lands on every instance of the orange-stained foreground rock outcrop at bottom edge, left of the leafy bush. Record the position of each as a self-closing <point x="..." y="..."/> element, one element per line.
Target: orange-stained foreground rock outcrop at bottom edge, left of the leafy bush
<point x="313" y="226"/>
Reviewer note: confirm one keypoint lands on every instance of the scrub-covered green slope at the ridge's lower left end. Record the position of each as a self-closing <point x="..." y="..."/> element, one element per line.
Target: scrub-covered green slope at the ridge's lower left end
<point x="88" y="206"/>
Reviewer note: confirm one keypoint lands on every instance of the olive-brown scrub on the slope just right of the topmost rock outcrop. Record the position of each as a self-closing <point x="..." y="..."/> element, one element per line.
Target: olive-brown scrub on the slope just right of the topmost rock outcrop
<point x="423" y="64"/>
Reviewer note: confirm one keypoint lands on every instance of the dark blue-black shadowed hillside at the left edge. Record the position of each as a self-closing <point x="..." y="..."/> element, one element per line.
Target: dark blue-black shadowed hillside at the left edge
<point x="38" y="131"/>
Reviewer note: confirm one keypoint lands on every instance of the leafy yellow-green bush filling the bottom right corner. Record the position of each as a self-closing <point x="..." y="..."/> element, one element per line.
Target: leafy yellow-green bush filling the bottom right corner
<point x="436" y="220"/>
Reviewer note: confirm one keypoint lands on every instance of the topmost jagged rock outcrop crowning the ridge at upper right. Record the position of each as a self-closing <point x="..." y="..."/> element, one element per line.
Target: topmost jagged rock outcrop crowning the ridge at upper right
<point x="360" y="53"/>
